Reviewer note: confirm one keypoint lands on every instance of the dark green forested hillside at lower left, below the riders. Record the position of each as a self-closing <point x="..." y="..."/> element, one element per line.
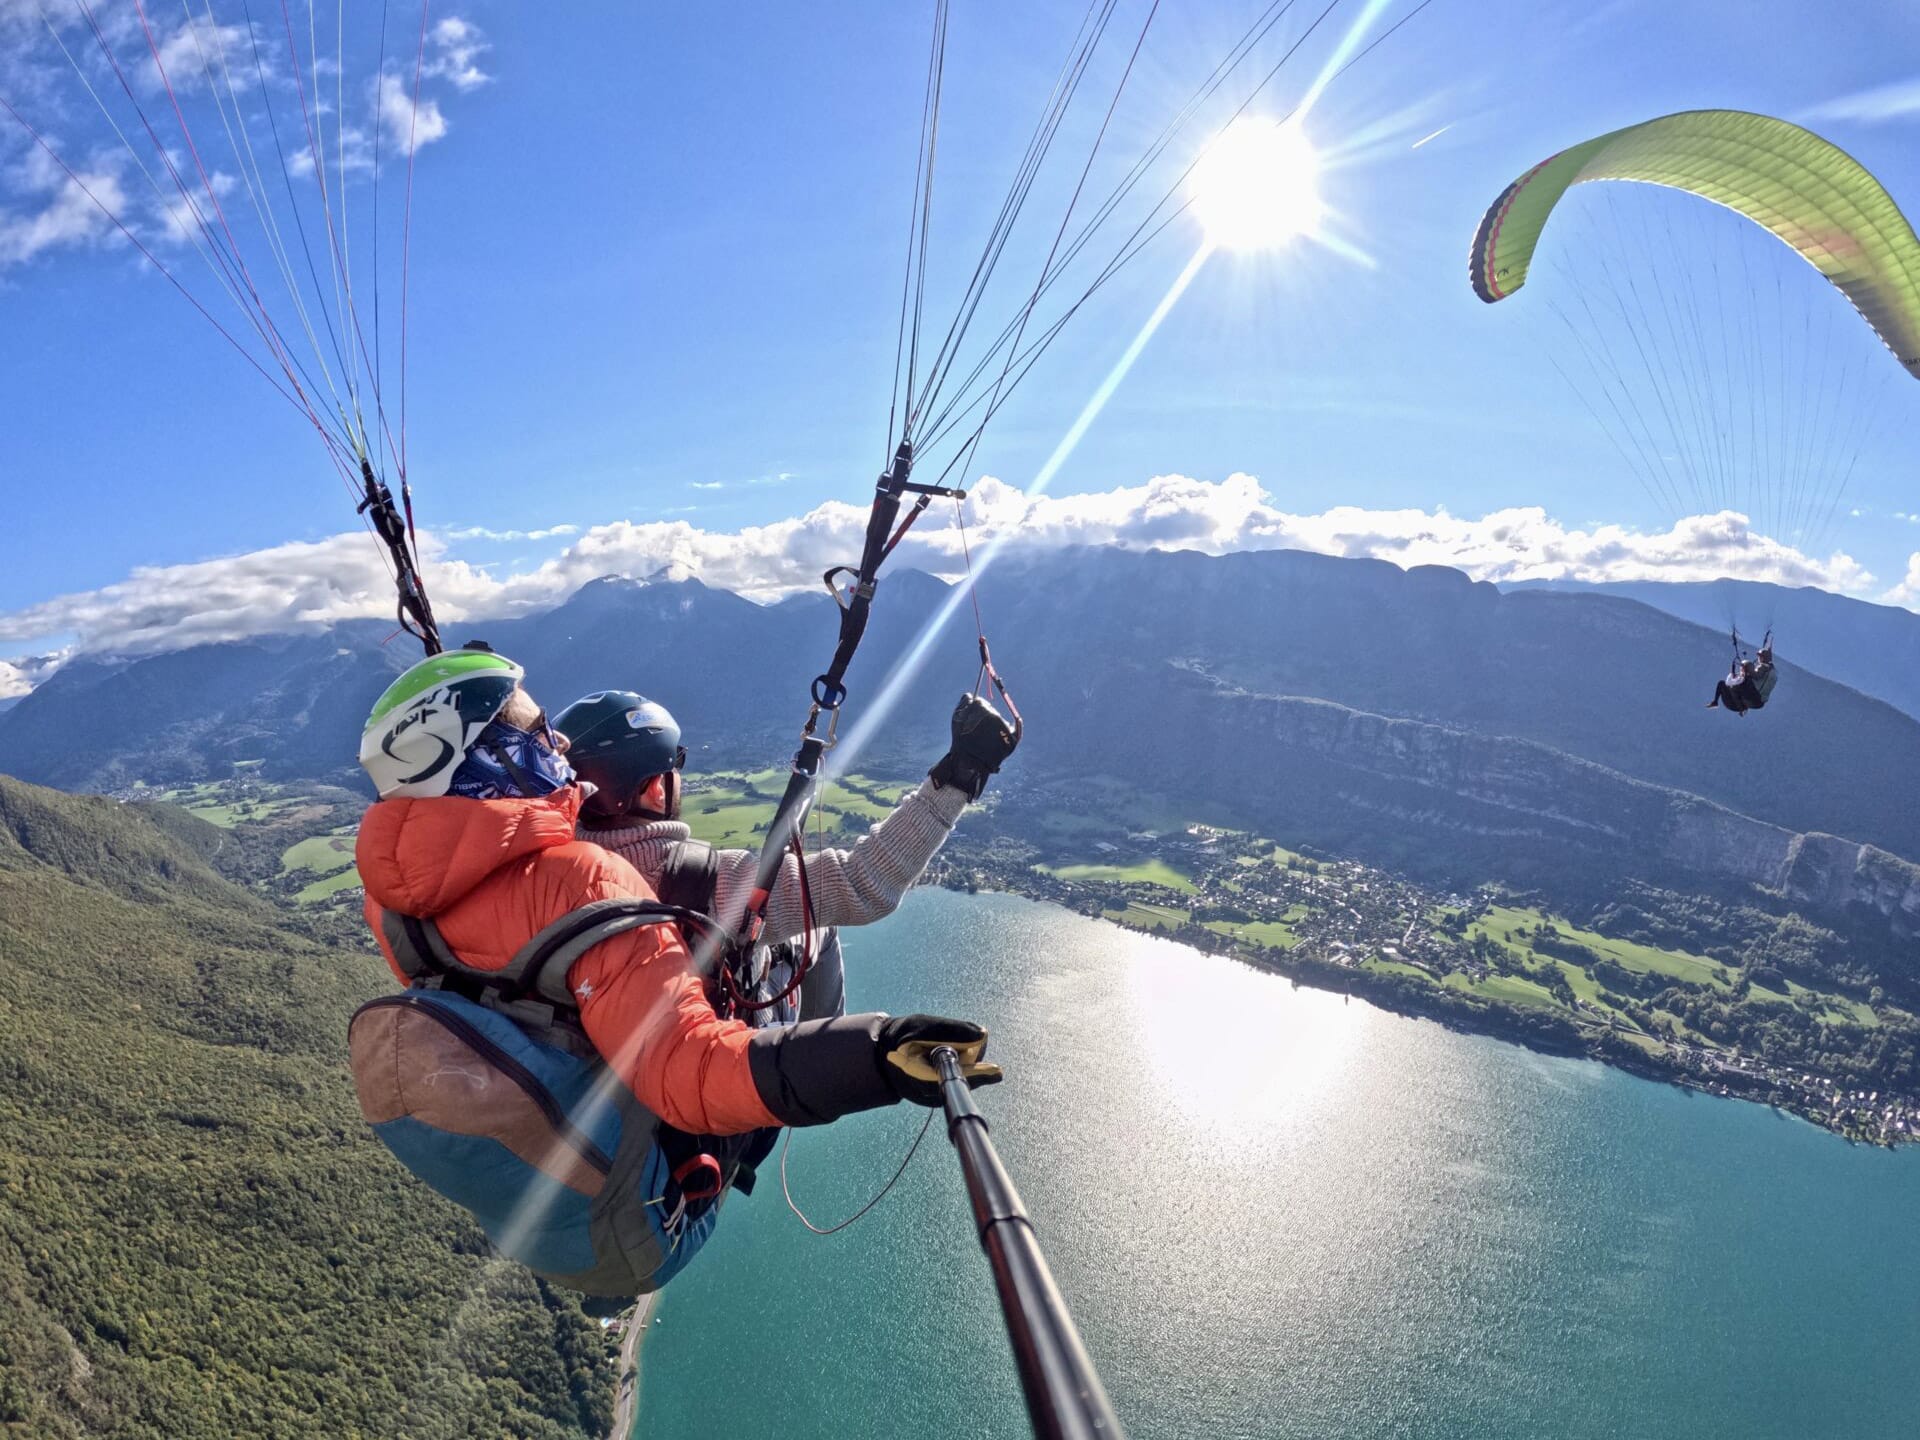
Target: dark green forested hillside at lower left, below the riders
<point x="199" y="1237"/>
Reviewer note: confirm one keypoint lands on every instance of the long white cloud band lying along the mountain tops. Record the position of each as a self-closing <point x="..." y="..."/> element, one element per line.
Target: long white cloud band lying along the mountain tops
<point x="316" y="585"/>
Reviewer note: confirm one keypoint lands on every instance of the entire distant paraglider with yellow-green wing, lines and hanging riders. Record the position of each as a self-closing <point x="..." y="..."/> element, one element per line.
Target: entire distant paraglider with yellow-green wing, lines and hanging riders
<point x="1723" y="379"/>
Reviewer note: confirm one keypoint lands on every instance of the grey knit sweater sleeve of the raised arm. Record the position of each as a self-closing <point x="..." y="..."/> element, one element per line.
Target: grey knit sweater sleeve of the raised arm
<point x="855" y="886"/>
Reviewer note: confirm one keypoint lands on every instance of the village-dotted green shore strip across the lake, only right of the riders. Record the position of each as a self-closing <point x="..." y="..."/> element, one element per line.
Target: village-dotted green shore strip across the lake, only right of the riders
<point x="1646" y="996"/>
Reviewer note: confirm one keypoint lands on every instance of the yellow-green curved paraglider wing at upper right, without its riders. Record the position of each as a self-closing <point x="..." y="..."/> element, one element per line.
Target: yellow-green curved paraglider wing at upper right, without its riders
<point x="1810" y="193"/>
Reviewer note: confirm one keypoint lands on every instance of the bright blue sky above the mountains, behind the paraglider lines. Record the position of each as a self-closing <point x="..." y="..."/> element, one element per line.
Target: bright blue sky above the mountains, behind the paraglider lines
<point x="656" y="272"/>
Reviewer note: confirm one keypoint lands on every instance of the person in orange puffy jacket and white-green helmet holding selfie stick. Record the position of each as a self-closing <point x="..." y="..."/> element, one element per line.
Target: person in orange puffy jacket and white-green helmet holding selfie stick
<point x="475" y="830"/>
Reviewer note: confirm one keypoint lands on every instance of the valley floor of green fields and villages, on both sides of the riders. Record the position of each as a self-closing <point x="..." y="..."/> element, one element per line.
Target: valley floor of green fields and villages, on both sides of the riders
<point x="1656" y="984"/>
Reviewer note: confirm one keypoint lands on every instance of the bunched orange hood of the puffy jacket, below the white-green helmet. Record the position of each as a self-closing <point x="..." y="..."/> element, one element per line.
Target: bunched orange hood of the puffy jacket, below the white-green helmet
<point x="423" y="855"/>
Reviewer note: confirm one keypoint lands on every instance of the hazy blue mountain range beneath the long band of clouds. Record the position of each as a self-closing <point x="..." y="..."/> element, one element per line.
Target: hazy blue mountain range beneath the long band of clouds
<point x="1406" y="717"/>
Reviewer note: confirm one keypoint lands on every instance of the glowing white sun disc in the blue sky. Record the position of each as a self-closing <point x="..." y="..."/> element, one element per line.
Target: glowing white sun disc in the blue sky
<point x="1257" y="185"/>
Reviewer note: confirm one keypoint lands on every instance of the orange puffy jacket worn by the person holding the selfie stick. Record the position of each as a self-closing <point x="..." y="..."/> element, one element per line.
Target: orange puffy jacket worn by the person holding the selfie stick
<point x="492" y="875"/>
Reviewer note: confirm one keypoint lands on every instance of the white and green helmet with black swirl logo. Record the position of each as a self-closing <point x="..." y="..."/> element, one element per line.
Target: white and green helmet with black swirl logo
<point x="427" y="721"/>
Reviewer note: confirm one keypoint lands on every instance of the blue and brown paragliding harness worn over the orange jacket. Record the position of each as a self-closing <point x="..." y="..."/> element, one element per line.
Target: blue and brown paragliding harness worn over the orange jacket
<point x="487" y="1086"/>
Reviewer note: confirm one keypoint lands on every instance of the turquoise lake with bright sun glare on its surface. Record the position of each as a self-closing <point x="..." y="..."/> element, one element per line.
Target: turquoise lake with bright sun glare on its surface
<point x="1282" y="1214"/>
